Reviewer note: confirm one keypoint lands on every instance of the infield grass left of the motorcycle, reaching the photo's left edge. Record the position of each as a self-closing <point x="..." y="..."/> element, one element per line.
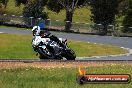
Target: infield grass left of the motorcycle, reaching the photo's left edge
<point x="16" y="46"/>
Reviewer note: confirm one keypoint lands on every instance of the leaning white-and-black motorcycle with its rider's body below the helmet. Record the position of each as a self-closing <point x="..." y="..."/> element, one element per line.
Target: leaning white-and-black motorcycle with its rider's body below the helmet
<point x="52" y="48"/>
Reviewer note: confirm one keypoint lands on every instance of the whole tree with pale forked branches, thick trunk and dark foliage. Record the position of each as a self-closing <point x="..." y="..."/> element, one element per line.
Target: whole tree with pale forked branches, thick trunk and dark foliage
<point x="69" y="6"/>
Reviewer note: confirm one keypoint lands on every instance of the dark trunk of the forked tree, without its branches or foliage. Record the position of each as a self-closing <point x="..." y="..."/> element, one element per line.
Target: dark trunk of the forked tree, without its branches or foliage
<point x="69" y="15"/>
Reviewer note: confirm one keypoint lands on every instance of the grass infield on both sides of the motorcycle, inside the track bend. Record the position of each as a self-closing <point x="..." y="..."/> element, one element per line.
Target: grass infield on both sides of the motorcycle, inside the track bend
<point x="19" y="46"/>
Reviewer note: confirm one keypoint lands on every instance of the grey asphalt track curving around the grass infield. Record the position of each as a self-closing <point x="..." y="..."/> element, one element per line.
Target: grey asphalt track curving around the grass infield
<point x="118" y="41"/>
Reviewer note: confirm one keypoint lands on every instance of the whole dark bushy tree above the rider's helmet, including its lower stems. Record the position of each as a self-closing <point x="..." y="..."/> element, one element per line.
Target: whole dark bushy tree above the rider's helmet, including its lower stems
<point x="33" y="8"/>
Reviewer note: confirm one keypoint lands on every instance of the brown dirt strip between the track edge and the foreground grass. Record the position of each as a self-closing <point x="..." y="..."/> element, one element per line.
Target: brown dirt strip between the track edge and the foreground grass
<point x="11" y="65"/>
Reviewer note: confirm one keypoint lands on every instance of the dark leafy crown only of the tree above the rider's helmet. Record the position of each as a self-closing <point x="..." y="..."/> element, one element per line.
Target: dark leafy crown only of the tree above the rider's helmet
<point x="34" y="8"/>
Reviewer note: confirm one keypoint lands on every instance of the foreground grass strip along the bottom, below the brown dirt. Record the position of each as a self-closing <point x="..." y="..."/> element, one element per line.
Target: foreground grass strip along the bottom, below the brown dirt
<point x="58" y="77"/>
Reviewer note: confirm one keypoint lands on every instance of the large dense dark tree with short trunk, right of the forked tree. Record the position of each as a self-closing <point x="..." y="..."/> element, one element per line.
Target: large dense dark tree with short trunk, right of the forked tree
<point x="104" y="12"/>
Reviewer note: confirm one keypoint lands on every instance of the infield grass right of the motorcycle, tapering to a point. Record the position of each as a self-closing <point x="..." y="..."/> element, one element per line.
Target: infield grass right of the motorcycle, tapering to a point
<point x="90" y="49"/>
